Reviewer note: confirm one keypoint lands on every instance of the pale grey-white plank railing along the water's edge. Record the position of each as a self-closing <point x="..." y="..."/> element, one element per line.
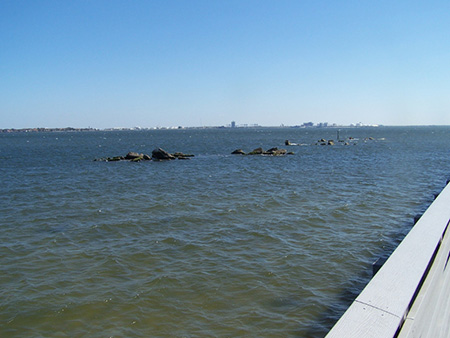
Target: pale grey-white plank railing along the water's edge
<point x="410" y="295"/>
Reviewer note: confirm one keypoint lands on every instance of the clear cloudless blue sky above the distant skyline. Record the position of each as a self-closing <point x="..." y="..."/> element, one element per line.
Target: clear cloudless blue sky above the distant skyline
<point x="110" y="63"/>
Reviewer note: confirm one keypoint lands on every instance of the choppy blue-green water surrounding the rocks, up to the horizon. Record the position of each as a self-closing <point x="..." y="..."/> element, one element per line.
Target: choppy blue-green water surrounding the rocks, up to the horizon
<point x="217" y="246"/>
